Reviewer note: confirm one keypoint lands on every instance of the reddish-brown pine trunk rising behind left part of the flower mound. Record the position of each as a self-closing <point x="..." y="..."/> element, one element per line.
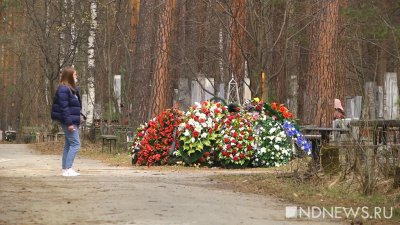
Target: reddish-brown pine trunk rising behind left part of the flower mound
<point x="161" y="77"/>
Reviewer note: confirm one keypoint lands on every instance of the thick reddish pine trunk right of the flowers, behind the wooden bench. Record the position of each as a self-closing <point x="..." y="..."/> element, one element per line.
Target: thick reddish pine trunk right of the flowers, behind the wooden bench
<point x="321" y="77"/>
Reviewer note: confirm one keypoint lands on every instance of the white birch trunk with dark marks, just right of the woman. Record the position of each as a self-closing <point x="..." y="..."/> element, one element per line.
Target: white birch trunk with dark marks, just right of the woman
<point x="91" y="62"/>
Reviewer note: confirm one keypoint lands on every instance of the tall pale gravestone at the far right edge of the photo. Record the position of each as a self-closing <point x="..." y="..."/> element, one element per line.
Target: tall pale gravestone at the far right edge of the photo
<point x="391" y="96"/>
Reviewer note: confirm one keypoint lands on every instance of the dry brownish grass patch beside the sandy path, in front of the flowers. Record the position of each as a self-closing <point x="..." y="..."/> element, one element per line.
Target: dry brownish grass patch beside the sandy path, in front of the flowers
<point x="321" y="192"/>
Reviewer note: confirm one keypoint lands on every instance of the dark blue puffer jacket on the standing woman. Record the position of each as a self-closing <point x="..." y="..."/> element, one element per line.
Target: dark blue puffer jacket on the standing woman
<point x="66" y="106"/>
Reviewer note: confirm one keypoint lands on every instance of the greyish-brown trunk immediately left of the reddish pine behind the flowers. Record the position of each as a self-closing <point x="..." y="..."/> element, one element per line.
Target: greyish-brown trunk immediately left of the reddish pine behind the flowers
<point x="141" y="77"/>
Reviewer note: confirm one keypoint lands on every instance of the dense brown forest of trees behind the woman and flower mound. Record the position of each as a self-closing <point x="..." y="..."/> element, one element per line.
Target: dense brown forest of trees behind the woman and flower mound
<point x="310" y="51"/>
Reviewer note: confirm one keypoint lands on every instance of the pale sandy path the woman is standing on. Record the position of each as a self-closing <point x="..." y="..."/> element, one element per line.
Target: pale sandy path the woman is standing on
<point x="32" y="191"/>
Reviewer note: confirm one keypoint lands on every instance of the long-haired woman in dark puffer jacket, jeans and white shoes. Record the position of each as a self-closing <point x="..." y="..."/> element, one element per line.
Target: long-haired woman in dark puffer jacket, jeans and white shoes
<point x="66" y="109"/>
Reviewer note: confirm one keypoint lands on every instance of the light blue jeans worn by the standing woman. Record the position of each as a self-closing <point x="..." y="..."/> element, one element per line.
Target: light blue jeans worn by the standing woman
<point x="71" y="146"/>
